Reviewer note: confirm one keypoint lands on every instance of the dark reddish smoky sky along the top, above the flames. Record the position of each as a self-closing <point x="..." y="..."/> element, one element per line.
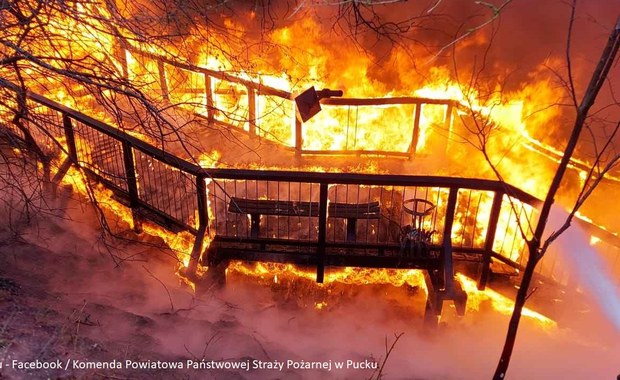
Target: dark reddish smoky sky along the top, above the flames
<point x="526" y="33"/>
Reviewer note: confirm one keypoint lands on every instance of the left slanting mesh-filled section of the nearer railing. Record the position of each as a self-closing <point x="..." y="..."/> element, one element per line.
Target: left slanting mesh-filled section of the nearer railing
<point x="152" y="184"/>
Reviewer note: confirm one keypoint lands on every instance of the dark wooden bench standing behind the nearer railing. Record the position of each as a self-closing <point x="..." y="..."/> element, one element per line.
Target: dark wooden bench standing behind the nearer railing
<point x="349" y="211"/>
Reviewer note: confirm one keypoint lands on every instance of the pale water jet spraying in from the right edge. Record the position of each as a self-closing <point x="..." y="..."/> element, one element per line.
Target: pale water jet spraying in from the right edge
<point x="586" y="263"/>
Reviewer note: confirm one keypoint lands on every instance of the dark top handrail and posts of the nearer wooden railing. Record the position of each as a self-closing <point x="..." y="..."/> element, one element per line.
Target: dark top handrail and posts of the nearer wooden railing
<point x="324" y="180"/>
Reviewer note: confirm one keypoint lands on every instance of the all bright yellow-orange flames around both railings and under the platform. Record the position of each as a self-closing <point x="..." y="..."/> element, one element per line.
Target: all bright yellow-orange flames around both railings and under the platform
<point x="508" y="117"/>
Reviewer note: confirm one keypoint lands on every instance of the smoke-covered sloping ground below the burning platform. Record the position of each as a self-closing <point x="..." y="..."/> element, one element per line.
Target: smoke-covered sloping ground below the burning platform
<point x="63" y="298"/>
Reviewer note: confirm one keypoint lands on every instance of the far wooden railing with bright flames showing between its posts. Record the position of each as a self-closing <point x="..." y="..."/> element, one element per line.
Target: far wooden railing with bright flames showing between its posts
<point x="202" y="99"/>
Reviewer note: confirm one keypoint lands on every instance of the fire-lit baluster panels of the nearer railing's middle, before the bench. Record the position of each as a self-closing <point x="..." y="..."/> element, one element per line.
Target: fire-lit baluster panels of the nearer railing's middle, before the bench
<point x="381" y="211"/>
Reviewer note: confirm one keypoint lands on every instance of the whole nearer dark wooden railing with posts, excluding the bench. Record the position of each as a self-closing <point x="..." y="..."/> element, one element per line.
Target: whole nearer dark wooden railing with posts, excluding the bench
<point x="176" y="193"/>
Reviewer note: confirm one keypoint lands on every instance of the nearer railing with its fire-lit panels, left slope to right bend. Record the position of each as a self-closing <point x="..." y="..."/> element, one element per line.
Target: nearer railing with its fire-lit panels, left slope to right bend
<point x="167" y="190"/>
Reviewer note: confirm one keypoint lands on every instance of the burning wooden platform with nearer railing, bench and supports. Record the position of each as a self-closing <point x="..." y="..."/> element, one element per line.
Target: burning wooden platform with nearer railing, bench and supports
<point x="309" y="218"/>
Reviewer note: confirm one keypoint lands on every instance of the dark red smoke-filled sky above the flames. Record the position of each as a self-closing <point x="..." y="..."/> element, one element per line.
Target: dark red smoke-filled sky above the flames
<point x="526" y="34"/>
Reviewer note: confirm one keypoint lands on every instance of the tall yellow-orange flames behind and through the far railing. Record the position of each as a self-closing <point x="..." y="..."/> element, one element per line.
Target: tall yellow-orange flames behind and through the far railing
<point x="384" y="128"/>
